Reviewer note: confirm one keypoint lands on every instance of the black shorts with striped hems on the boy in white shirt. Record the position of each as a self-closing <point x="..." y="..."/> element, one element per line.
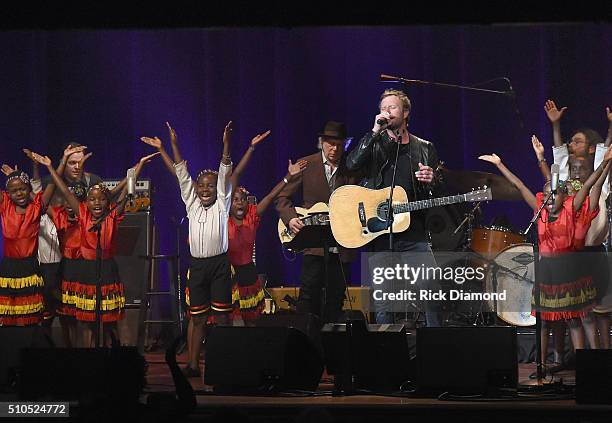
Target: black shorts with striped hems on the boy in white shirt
<point x="209" y="285"/>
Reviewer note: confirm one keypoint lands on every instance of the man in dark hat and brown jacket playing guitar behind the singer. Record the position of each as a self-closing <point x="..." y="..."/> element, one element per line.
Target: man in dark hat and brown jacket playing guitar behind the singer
<point x="325" y="172"/>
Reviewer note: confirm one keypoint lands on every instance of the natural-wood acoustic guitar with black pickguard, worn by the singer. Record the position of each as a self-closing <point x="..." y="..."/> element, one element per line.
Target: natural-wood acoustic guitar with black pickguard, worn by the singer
<point x="358" y="215"/>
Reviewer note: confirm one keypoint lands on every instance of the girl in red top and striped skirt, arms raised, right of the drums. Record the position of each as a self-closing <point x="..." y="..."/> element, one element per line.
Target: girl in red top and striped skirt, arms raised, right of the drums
<point x="567" y="291"/>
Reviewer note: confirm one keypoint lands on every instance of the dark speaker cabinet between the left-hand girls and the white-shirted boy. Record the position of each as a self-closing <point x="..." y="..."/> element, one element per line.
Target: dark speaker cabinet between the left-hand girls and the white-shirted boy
<point x="134" y="243"/>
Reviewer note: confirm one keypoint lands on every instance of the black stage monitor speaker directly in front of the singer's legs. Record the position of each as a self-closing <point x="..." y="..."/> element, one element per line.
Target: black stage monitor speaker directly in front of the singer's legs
<point x="376" y="355"/>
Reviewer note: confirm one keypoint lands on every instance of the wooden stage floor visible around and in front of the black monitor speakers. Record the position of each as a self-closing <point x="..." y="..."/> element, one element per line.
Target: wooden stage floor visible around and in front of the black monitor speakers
<point x="323" y="406"/>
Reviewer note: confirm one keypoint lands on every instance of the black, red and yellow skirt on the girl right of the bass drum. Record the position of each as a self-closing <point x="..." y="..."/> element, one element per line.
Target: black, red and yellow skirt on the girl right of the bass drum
<point x="567" y="288"/>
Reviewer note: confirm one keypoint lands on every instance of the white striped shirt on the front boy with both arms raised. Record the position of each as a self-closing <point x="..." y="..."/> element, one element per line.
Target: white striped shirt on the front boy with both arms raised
<point x="207" y="225"/>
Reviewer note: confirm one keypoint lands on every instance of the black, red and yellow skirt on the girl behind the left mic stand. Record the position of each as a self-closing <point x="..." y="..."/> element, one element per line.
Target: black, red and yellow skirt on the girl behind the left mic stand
<point x="79" y="282"/>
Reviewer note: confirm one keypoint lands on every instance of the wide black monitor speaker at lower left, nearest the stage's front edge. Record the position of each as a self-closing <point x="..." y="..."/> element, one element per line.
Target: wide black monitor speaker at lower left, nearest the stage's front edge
<point x="115" y="375"/>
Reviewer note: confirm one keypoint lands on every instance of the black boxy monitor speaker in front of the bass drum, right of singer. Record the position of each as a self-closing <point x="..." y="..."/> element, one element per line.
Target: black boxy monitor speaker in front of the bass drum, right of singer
<point x="467" y="360"/>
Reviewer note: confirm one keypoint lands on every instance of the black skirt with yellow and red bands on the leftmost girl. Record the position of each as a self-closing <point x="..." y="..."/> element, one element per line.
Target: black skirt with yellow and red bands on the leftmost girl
<point x="21" y="292"/>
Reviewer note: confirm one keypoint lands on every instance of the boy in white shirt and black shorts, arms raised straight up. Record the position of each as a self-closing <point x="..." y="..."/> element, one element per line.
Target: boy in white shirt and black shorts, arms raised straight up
<point x="207" y="202"/>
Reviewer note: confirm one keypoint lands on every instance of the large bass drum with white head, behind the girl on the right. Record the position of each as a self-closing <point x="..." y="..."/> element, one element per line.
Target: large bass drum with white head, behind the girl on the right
<point x="513" y="273"/>
